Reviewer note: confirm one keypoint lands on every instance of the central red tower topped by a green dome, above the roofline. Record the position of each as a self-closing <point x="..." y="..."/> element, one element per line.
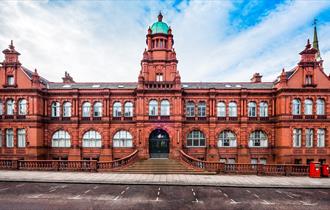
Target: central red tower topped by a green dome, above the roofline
<point x="159" y="63"/>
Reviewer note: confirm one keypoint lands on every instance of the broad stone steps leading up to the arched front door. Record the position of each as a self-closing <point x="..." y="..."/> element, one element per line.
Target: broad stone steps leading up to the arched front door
<point x="161" y="166"/>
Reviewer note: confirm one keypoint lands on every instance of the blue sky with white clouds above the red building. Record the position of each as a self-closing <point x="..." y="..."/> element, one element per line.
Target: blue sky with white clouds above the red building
<point x="215" y="40"/>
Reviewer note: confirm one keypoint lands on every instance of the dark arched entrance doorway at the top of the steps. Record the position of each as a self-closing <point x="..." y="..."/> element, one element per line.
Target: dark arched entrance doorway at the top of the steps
<point x="159" y="145"/>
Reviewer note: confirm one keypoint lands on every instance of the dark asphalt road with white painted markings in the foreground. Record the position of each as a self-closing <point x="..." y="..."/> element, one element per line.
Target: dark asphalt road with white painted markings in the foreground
<point x="101" y="196"/>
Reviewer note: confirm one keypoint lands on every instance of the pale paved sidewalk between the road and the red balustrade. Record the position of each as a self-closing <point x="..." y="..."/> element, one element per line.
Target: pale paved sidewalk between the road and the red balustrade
<point x="165" y="179"/>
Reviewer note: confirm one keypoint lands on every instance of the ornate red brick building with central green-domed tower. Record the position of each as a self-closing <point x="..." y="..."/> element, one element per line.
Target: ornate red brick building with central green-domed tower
<point x="285" y="121"/>
